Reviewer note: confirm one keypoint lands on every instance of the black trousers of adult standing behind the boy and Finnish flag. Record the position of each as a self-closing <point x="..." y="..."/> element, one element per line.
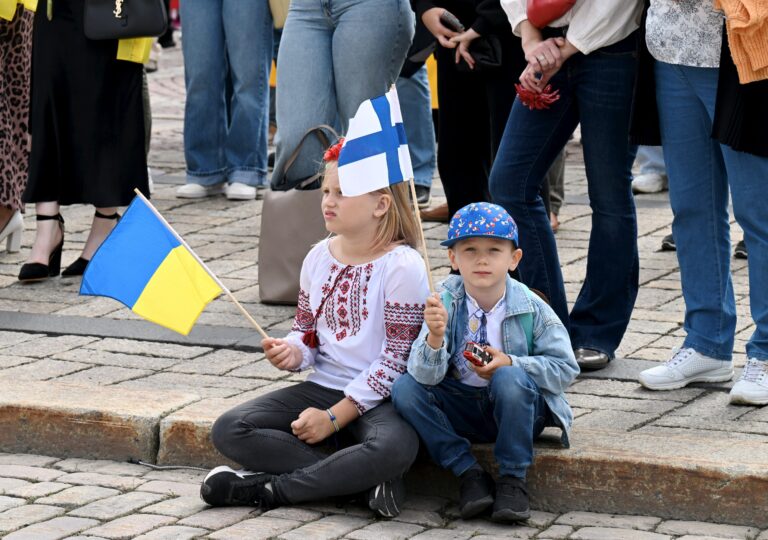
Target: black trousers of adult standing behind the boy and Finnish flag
<point x="473" y="112"/>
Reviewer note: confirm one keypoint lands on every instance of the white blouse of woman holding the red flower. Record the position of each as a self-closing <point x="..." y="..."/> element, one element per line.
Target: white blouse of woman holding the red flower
<point x="592" y="24"/>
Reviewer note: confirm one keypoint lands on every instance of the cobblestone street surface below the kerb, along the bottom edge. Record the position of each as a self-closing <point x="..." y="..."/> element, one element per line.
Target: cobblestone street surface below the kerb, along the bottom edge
<point x="46" y="498"/>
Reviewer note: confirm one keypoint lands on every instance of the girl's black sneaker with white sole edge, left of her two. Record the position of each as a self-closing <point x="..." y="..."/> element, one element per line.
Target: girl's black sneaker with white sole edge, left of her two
<point x="224" y="486"/>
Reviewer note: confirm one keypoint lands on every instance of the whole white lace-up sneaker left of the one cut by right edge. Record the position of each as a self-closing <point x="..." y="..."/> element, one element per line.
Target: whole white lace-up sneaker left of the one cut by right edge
<point x="686" y="366"/>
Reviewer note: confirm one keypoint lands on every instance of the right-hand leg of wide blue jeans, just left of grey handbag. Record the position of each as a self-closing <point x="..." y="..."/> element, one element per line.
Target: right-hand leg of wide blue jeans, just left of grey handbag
<point x="248" y="35"/>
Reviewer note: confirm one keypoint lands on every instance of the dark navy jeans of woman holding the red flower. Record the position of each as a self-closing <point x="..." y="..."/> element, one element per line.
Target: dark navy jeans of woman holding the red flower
<point x="596" y="91"/>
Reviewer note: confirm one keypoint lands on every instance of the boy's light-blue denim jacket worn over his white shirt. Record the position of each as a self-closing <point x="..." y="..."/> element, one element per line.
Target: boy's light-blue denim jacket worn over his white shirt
<point x="552" y="365"/>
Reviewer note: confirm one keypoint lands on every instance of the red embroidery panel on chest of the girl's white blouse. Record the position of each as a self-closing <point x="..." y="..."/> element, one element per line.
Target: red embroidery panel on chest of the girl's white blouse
<point x="347" y="306"/>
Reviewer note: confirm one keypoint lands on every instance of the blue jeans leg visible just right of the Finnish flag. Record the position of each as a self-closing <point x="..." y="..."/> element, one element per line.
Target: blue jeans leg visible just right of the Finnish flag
<point x="416" y="106"/>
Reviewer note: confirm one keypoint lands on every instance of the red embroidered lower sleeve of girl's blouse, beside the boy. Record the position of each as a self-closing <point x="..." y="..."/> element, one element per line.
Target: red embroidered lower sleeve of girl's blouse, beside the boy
<point x="402" y="324"/>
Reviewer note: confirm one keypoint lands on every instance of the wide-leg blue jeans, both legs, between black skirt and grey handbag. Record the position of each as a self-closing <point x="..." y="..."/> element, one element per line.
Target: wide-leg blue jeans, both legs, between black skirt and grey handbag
<point x="226" y="139"/>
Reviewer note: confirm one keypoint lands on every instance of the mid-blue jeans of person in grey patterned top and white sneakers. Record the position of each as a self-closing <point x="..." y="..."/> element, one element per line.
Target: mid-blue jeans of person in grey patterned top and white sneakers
<point x="700" y="172"/>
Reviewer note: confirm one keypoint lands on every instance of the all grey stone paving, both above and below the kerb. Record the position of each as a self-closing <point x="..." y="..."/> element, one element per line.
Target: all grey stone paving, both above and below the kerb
<point x="49" y="333"/>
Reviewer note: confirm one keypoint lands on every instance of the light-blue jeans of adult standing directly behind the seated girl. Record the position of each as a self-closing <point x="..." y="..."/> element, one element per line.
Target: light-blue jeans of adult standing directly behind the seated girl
<point x="334" y="54"/>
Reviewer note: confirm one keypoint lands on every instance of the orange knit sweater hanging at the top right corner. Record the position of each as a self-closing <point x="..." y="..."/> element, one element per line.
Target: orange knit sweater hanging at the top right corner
<point x="747" y="27"/>
